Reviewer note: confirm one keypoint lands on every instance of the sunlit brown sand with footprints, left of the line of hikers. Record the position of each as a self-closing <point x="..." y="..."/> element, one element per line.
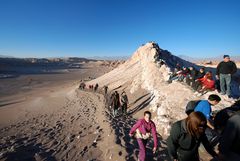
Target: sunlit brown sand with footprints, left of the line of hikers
<point x="55" y="122"/>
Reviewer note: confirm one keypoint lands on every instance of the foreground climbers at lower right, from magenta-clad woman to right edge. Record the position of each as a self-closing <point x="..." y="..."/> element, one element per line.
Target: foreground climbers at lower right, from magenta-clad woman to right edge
<point x="188" y="134"/>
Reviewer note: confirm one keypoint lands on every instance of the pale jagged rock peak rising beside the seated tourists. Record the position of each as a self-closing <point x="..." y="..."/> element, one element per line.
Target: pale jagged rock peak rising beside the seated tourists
<point x="145" y="70"/>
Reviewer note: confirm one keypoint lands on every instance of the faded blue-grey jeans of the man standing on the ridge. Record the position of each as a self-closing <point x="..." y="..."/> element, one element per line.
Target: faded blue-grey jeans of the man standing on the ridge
<point x="225" y="79"/>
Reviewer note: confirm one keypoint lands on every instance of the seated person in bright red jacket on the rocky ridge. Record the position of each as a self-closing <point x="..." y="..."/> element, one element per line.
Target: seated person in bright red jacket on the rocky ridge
<point x="205" y="84"/>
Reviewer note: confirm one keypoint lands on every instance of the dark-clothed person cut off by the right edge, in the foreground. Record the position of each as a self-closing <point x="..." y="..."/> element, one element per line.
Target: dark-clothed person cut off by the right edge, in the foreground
<point x="229" y="145"/>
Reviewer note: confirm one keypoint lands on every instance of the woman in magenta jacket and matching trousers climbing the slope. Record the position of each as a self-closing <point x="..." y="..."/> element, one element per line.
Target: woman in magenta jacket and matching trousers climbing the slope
<point x="143" y="130"/>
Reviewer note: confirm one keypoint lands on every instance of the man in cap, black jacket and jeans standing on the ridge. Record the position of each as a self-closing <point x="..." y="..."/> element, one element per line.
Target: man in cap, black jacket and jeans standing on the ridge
<point x="225" y="70"/>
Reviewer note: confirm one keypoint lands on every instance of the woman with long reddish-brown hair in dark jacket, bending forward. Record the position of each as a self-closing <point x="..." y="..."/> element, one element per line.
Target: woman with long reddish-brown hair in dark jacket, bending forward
<point x="186" y="136"/>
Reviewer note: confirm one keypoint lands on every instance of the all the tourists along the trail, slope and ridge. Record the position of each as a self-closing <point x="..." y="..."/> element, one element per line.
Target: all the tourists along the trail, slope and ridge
<point x="201" y="126"/>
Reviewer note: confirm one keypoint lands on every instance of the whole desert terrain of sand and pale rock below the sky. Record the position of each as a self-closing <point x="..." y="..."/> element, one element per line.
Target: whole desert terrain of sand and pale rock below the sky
<point x="45" y="116"/>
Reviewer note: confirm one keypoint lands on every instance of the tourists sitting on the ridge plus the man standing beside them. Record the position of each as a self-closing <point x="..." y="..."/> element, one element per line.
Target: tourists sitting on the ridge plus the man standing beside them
<point x="203" y="81"/>
